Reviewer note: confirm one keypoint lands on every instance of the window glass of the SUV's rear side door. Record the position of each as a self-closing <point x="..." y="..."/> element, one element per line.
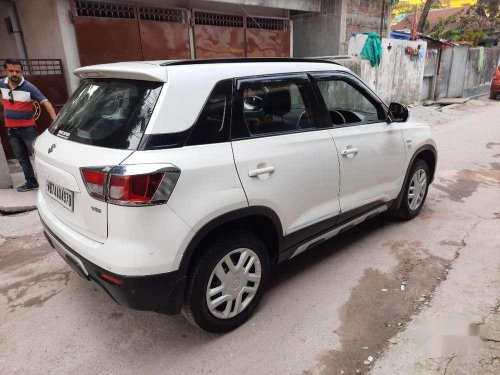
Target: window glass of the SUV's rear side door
<point x="278" y="108"/>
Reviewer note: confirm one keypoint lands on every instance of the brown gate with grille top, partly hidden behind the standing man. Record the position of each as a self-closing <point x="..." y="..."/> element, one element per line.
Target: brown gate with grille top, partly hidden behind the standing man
<point x="48" y="76"/>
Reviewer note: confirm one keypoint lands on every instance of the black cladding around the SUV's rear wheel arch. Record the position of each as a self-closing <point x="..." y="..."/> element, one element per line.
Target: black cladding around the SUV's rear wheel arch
<point x="261" y="221"/>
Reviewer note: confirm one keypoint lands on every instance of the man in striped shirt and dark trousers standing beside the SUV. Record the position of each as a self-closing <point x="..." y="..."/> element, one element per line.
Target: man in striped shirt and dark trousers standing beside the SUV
<point x="18" y="95"/>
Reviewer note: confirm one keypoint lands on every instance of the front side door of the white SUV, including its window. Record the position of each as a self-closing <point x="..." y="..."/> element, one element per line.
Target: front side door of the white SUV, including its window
<point x="371" y="150"/>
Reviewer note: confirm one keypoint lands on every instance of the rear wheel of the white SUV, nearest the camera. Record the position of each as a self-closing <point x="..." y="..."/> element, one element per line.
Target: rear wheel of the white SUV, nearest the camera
<point x="215" y="279"/>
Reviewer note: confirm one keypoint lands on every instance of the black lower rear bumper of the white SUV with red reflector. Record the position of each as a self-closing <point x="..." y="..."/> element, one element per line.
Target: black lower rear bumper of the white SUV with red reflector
<point x="162" y="293"/>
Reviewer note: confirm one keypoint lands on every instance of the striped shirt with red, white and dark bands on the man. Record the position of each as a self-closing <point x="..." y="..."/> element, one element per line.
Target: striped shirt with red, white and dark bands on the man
<point x="18" y="103"/>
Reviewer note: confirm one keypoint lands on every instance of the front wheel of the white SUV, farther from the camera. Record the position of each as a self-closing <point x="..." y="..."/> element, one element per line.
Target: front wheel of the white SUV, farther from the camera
<point x="410" y="206"/>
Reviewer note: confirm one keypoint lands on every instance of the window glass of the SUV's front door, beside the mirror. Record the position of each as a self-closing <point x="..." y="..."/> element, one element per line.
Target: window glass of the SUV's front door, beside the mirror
<point x="347" y="105"/>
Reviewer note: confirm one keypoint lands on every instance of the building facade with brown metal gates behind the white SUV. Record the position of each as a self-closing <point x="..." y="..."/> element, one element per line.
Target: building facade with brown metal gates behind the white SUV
<point x="84" y="32"/>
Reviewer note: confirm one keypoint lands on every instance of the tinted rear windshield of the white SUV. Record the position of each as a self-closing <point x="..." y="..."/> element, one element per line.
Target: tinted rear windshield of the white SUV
<point x="110" y="113"/>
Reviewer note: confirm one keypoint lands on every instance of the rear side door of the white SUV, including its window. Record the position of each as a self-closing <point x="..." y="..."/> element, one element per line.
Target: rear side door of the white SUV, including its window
<point x="285" y="159"/>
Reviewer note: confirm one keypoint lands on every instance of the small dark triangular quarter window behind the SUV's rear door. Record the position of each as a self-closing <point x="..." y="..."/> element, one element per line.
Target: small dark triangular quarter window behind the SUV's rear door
<point x="213" y="123"/>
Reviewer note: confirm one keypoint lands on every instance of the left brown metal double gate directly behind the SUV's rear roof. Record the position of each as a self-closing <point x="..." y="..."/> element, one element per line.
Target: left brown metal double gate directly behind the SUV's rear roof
<point x="110" y="32"/>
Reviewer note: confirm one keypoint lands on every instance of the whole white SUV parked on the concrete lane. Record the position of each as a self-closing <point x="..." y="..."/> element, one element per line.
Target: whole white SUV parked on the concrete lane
<point x="177" y="185"/>
